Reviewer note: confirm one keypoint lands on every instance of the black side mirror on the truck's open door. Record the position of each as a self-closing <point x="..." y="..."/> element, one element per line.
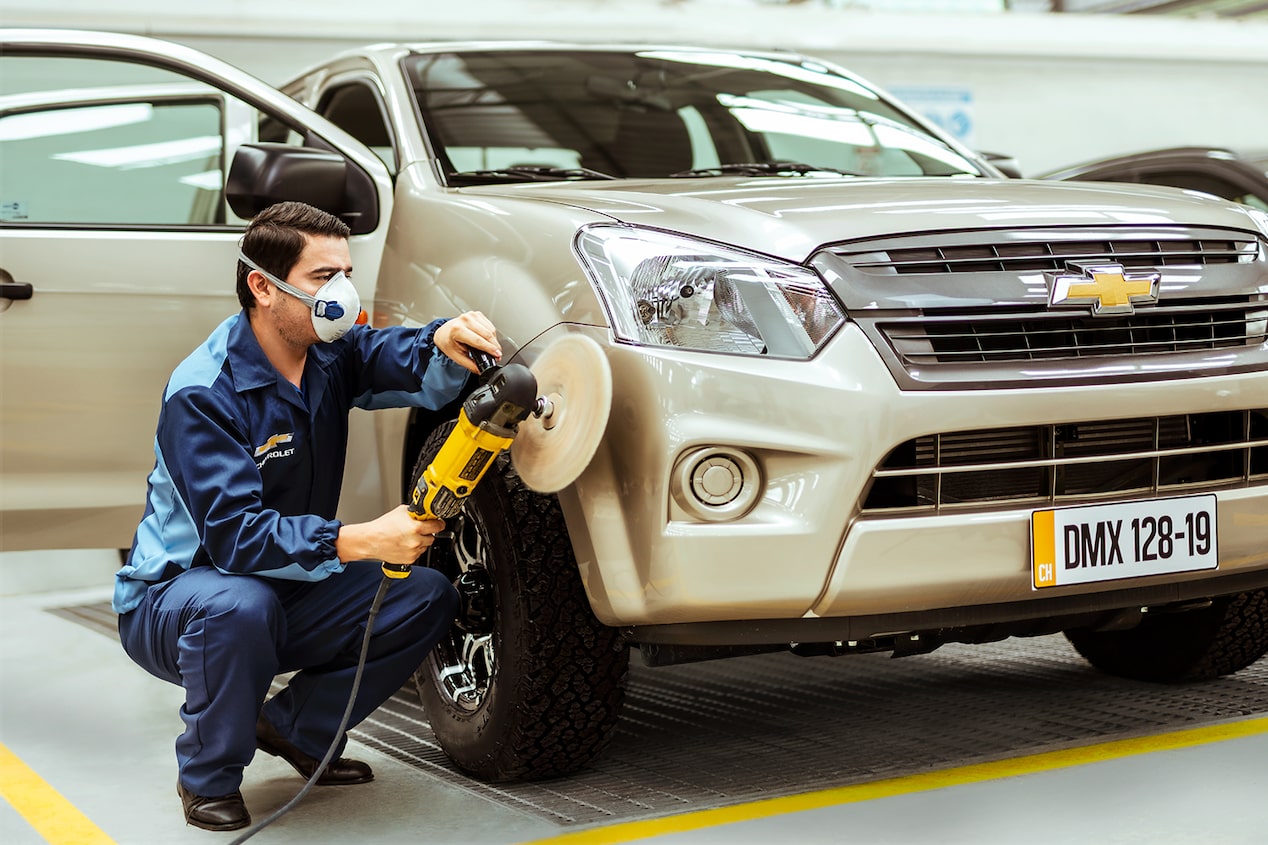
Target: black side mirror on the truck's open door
<point x="266" y="174"/>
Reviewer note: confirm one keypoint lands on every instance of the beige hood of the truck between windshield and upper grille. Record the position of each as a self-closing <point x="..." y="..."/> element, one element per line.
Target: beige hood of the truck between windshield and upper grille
<point x="792" y="218"/>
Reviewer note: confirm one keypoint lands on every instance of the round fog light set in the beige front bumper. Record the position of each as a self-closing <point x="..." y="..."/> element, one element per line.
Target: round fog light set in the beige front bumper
<point x="716" y="484"/>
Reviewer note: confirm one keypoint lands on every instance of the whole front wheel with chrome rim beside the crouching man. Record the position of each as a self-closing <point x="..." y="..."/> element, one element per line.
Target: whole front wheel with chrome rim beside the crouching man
<point x="528" y="685"/>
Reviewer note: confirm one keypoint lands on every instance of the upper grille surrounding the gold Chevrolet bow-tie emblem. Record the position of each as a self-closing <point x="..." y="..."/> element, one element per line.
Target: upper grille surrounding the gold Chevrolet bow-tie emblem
<point x="971" y="310"/>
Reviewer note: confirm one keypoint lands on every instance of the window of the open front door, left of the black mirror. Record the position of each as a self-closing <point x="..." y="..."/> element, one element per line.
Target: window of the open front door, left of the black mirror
<point x="98" y="143"/>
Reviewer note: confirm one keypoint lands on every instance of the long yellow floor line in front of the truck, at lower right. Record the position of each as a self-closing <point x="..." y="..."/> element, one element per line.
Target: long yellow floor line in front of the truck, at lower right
<point x="1030" y="764"/>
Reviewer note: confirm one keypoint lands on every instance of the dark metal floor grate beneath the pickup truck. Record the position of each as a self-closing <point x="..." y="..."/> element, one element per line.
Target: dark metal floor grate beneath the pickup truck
<point x="723" y="733"/>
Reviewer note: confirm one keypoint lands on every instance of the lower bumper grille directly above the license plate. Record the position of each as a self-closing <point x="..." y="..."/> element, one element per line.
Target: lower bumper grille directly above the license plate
<point x="1072" y="462"/>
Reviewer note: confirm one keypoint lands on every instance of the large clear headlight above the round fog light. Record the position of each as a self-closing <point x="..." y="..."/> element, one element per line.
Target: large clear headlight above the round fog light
<point x="670" y="291"/>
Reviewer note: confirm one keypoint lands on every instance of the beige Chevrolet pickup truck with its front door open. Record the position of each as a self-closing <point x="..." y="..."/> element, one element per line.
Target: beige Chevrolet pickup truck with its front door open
<point x="868" y="393"/>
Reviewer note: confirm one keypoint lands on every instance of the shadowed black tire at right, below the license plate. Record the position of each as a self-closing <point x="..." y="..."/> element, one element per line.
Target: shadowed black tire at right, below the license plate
<point x="1179" y="648"/>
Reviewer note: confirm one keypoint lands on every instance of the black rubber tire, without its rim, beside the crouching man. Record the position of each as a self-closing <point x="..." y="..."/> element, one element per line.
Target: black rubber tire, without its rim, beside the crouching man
<point x="560" y="685"/>
